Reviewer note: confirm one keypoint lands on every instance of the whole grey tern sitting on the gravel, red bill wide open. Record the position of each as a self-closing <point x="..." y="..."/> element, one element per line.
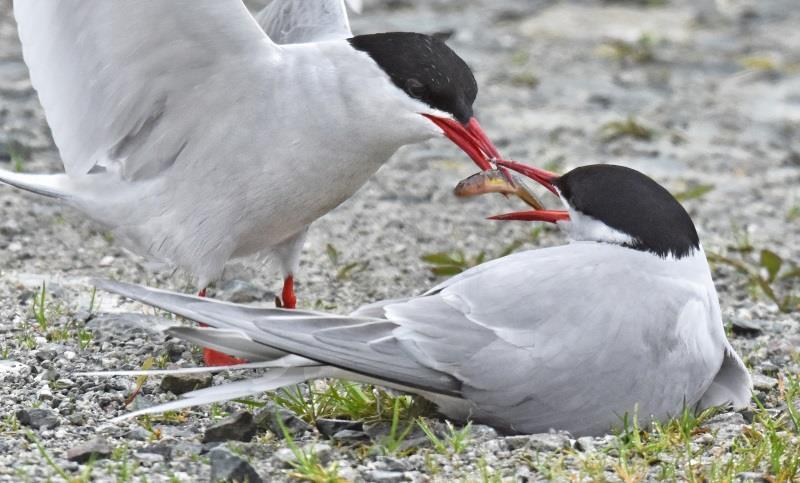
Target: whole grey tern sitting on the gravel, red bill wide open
<point x="623" y="320"/>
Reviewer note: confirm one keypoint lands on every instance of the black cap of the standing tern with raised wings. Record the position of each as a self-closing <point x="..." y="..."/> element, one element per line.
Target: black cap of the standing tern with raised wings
<point x="425" y="68"/>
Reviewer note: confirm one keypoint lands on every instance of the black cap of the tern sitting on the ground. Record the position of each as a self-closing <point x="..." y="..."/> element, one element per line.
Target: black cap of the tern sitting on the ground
<point x="630" y="202"/>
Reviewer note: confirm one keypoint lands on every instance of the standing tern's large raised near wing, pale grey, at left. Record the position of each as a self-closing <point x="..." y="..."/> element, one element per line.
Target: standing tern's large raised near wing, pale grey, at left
<point x="129" y="85"/>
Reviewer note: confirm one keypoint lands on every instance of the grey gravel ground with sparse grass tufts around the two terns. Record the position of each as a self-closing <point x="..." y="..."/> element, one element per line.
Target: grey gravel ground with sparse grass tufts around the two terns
<point x="715" y="100"/>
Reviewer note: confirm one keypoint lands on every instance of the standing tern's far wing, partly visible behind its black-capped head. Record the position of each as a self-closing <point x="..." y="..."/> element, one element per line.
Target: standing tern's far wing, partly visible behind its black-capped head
<point x="302" y="21"/>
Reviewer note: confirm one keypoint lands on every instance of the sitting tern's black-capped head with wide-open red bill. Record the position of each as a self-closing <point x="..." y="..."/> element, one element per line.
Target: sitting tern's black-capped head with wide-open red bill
<point x="613" y="204"/>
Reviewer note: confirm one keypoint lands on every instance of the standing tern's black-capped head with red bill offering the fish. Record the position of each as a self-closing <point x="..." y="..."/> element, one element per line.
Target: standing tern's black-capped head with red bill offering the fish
<point x="436" y="85"/>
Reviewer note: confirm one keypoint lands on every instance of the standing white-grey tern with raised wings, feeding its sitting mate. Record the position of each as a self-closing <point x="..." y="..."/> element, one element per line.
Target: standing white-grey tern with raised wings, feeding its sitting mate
<point x="198" y="134"/>
